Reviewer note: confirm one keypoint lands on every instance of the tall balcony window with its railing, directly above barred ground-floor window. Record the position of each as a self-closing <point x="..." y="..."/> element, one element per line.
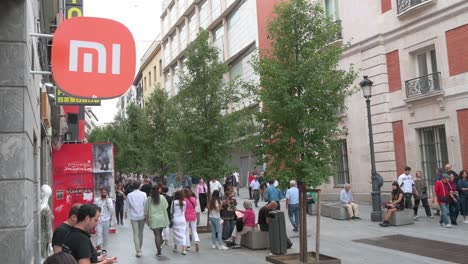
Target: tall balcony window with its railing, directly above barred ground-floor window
<point x="427" y="76"/>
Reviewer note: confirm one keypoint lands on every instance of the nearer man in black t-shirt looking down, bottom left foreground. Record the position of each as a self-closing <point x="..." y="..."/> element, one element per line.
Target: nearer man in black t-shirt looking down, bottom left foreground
<point x="78" y="241"/>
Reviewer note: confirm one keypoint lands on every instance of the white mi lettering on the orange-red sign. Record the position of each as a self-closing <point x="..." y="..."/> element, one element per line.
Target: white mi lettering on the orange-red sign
<point x="75" y="45"/>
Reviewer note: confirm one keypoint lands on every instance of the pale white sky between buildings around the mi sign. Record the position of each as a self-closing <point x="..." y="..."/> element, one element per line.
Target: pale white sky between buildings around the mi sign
<point x="142" y="19"/>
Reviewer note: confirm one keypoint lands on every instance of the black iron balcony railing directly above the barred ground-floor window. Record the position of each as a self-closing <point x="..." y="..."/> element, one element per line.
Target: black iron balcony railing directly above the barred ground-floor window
<point x="423" y="85"/>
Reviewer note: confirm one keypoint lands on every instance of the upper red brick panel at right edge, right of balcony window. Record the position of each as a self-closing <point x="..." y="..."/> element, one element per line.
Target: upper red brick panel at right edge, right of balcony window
<point x="457" y="48"/>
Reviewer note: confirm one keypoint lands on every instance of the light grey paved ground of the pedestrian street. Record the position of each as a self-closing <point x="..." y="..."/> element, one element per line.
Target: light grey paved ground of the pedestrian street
<point x="337" y="240"/>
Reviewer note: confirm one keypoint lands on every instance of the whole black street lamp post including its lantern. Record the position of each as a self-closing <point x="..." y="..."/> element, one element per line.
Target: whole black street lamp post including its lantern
<point x="377" y="180"/>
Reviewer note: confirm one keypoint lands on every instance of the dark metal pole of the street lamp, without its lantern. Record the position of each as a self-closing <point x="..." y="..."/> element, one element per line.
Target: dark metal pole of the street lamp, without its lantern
<point x="376" y="215"/>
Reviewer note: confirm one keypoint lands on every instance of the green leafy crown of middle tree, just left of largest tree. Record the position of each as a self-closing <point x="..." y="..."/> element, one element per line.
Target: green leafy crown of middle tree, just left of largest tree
<point x="202" y="129"/>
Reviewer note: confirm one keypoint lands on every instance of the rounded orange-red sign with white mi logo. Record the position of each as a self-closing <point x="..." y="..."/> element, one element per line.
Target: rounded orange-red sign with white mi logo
<point x="93" y="57"/>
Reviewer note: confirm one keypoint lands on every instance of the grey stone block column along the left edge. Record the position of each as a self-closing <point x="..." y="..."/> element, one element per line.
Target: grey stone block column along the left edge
<point x="19" y="131"/>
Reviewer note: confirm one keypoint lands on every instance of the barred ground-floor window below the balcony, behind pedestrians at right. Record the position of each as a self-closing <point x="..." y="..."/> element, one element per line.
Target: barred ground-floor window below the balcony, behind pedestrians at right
<point x="434" y="154"/>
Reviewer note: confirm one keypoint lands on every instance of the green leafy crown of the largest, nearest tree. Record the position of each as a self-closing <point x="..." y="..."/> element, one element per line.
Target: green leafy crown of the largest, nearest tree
<point x="303" y="93"/>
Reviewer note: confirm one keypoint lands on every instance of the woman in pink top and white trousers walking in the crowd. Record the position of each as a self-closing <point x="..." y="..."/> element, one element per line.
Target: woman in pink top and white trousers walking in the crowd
<point x="191" y="218"/>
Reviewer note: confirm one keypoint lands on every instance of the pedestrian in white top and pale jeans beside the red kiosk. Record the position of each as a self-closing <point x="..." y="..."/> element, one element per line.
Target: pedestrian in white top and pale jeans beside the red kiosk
<point x="102" y="229"/>
